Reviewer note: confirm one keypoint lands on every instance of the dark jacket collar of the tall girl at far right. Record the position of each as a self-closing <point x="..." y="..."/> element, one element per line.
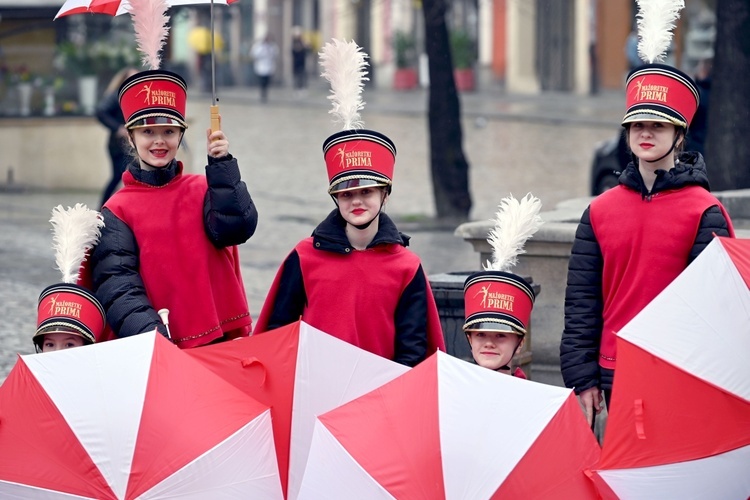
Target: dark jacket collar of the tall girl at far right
<point x="690" y="170"/>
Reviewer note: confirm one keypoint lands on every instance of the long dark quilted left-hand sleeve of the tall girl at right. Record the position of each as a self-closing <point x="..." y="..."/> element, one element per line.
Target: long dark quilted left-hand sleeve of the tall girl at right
<point x="579" y="347"/>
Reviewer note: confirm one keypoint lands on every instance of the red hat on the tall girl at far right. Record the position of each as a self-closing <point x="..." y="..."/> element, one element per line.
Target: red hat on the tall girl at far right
<point x="658" y="92"/>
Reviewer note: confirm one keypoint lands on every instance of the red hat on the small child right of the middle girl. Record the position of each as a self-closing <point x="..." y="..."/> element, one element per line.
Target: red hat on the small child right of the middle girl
<point x="497" y="301"/>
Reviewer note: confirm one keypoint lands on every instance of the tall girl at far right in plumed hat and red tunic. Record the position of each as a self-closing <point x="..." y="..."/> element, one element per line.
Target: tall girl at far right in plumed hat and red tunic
<point x="635" y="239"/>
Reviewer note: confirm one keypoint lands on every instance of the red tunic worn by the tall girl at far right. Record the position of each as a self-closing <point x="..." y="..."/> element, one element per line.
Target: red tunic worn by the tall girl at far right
<point x="621" y="221"/>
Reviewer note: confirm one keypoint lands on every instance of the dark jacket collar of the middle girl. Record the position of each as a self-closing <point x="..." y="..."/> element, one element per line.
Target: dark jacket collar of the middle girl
<point x="330" y="234"/>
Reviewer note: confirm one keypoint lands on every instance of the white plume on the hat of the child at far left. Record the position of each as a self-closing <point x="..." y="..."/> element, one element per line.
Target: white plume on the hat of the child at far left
<point x="75" y="231"/>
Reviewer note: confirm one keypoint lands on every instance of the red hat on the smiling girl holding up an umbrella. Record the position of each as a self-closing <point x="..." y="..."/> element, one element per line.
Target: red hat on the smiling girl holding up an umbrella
<point x="154" y="97"/>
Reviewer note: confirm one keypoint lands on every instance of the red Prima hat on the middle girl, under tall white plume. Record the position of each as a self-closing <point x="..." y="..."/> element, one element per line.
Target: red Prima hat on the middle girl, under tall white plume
<point x="358" y="158"/>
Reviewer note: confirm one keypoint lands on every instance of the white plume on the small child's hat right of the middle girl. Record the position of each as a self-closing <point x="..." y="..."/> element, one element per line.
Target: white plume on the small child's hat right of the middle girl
<point x="515" y="222"/>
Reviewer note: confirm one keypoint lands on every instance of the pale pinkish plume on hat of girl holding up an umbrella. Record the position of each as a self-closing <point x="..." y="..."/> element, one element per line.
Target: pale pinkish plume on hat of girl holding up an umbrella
<point x="151" y="29"/>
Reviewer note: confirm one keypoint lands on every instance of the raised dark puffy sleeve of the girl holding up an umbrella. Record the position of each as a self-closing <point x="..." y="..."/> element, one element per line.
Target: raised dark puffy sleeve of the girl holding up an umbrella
<point x="229" y="214"/>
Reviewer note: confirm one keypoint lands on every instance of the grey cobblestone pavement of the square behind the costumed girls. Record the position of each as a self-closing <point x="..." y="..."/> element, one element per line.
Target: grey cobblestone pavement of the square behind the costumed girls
<point x="541" y="144"/>
